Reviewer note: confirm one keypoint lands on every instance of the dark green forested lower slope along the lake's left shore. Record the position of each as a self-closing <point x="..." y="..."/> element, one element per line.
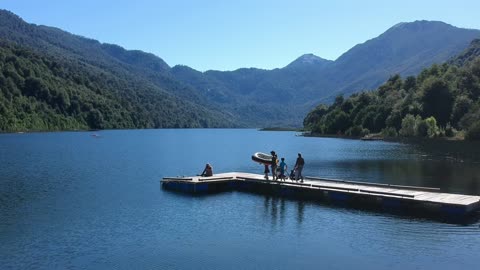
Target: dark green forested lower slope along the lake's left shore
<point x="44" y="92"/>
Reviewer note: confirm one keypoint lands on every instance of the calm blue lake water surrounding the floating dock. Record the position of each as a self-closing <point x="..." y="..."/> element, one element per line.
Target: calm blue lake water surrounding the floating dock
<point x="74" y="201"/>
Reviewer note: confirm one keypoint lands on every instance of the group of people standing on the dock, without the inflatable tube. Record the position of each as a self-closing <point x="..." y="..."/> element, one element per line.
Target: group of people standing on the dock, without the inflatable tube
<point x="279" y="169"/>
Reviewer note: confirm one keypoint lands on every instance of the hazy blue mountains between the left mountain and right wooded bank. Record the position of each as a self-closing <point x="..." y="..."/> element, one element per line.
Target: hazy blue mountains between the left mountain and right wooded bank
<point x="290" y="92"/>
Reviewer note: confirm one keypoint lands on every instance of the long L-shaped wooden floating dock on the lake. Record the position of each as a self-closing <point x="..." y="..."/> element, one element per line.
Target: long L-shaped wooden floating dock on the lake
<point x="348" y="193"/>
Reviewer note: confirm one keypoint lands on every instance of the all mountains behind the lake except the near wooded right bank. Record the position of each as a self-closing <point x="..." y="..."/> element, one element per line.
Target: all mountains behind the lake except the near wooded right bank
<point x="53" y="80"/>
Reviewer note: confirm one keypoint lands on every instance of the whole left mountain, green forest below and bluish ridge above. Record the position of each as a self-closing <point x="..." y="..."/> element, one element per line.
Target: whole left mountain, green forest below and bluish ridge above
<point x="53" y="80"/>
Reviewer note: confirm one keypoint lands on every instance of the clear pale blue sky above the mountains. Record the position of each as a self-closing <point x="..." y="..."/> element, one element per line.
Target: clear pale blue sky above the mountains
<point x="226" y="35"/>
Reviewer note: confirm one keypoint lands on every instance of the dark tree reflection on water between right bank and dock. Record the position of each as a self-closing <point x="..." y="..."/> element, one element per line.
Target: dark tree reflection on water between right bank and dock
<point x="451" y="166"/>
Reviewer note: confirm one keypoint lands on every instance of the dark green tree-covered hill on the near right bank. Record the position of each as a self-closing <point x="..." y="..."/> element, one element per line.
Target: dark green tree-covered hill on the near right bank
<point x="441" y="101"/>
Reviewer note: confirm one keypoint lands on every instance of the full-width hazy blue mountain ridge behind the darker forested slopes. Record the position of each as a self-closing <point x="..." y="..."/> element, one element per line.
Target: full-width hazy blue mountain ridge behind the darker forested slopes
<point x="248" y="96"/>
